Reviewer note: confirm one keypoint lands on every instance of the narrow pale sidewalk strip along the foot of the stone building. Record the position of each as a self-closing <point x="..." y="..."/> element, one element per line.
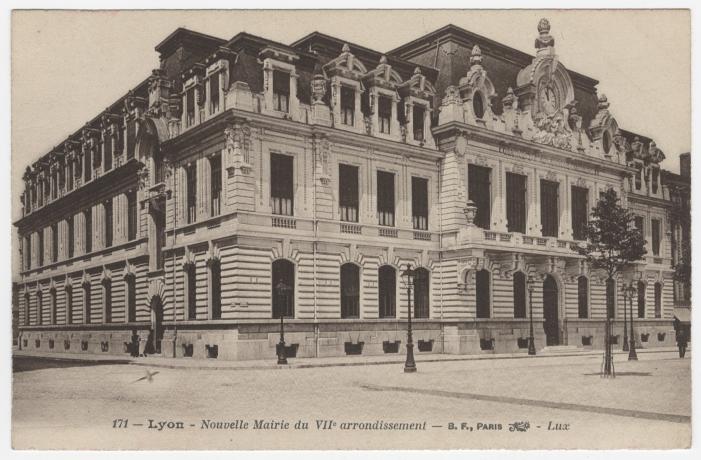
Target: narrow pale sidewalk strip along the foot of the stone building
<point x="301" y="363"/>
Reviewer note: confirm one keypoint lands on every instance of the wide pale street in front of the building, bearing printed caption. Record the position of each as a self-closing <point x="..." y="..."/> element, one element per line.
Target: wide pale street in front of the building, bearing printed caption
<point x="74" y="405"/>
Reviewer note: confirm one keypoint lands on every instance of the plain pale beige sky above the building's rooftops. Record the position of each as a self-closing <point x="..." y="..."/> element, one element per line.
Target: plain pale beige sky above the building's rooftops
<point x="69" y="66"/>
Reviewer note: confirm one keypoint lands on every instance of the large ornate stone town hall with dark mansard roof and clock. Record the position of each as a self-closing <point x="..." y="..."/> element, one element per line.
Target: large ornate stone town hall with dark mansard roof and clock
<point x="245" y="180"/>
